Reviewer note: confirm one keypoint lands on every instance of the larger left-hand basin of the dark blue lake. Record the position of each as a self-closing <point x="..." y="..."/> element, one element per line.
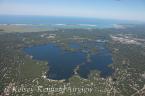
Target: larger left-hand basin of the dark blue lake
<point x="61" y="63"/>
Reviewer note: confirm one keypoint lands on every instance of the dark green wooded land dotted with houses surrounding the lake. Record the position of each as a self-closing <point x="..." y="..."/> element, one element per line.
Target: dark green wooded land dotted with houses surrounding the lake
<point x="20" y="75"/>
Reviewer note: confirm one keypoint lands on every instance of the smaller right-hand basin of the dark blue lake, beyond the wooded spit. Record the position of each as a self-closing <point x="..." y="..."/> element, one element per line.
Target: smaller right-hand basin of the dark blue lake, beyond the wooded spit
<point x="99" y="61"/>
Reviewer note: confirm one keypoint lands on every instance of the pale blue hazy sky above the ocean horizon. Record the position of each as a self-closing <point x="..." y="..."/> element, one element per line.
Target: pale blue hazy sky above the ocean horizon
<point x="105" y="9"/>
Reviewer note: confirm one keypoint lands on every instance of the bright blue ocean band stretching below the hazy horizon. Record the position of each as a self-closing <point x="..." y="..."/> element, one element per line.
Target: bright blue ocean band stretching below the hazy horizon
<point x="46" y="20"/>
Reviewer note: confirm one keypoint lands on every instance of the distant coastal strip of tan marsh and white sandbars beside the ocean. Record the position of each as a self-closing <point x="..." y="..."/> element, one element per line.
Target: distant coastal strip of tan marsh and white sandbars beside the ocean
<point x="49" y="27"/>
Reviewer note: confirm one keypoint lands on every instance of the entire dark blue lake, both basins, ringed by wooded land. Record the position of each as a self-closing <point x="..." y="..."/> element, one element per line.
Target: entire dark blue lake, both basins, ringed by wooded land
<point x="62" y="63"/>
